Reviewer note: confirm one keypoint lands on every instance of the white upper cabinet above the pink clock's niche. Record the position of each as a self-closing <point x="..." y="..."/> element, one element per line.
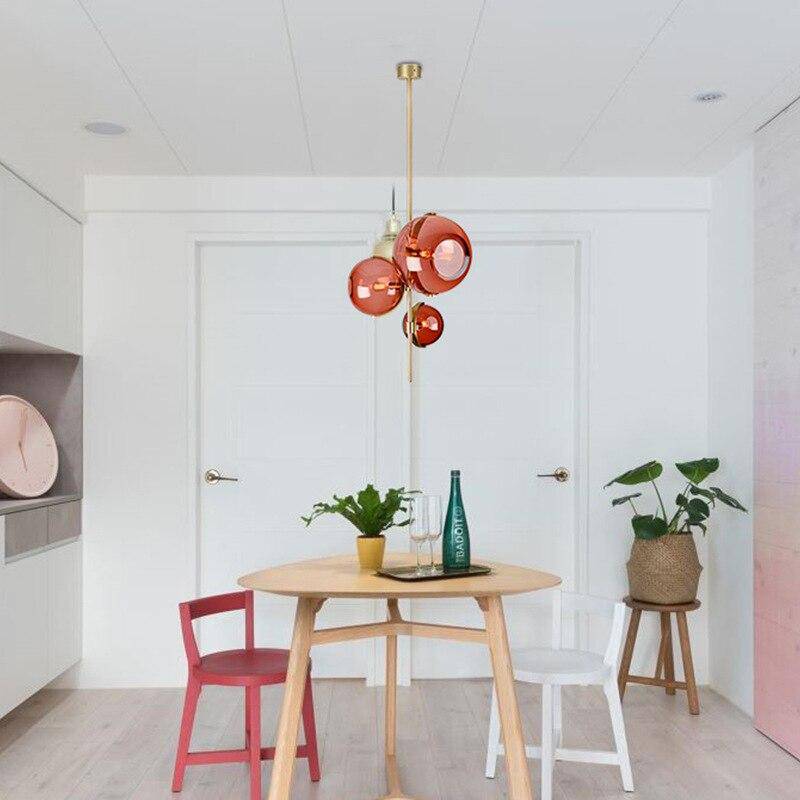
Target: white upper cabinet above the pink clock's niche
<point x="40" y="268"/>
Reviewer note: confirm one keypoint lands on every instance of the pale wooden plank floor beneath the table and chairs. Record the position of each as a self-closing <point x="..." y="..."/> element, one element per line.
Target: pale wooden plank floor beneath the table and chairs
<point x="118" y="745"/>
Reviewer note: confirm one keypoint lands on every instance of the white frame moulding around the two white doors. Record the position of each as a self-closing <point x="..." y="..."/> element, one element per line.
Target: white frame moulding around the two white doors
<point x="581" y="241"/>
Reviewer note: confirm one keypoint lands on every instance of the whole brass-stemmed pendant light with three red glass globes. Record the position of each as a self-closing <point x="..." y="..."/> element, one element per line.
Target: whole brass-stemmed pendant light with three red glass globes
<point x="430" y="255"/>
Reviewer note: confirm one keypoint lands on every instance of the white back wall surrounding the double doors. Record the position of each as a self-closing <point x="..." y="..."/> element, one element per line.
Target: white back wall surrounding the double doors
<point x="647" y="366"/>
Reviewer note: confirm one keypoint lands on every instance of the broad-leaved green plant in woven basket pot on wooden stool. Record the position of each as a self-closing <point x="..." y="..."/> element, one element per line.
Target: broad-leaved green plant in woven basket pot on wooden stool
<point x="663" y="566"/>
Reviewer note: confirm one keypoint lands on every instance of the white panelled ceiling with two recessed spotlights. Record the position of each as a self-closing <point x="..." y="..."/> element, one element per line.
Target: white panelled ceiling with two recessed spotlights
<point x="307" y="87"/>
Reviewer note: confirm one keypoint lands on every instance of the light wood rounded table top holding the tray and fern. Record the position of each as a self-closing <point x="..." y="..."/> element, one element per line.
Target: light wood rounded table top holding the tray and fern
<point x="341" y="576"/>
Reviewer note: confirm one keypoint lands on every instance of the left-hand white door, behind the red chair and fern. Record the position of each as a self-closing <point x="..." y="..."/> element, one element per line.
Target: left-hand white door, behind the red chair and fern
<point x="286" y="407"/>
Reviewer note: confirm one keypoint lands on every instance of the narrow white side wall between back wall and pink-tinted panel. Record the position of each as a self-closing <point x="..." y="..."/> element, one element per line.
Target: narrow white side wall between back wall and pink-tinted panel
<point x="730" y="431"/>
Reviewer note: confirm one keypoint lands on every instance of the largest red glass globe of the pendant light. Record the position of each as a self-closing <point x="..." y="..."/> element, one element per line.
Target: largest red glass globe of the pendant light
<point x="434" y="254"/>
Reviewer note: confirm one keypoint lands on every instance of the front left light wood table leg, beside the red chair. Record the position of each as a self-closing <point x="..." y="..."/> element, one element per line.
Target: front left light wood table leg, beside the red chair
<point x="289" y="721"/>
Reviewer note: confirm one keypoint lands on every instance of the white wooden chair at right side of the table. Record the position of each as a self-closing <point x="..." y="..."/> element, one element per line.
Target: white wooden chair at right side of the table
<point x="555" y="667"/>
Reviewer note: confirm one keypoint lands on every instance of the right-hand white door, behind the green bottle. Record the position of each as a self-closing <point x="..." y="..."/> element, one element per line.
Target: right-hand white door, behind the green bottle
<point x="496" y="399"/>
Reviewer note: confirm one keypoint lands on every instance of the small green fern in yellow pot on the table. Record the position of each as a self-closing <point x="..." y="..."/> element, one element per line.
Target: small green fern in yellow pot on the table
<point x="370" y="515"/>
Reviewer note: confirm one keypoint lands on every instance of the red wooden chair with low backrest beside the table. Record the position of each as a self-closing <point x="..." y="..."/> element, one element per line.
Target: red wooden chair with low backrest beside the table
<point x="252" y="668"/>
